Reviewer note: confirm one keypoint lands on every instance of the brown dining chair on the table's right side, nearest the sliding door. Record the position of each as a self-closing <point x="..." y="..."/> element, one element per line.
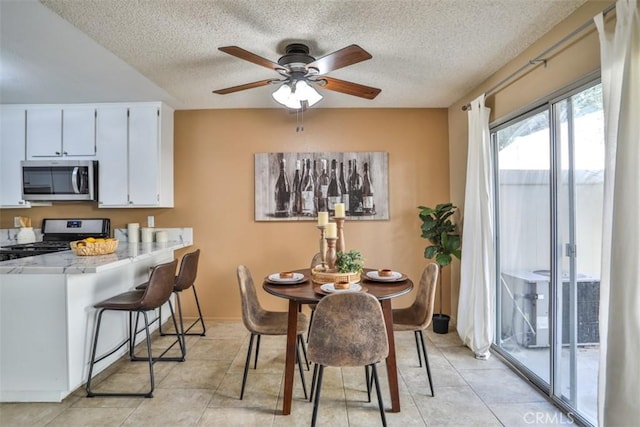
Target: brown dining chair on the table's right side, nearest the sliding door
<point x="417" y="317"/>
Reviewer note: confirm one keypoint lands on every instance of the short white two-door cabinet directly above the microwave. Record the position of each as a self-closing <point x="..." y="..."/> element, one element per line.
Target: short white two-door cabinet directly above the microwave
<point x="67" y="131"/>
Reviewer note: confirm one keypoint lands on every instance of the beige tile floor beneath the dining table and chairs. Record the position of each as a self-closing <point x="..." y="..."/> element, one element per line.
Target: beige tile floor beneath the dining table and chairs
<point x="204" y="390"/>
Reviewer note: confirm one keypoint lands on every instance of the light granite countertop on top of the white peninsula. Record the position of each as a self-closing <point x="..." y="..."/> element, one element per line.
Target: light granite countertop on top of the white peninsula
<point x="67" y="262"/>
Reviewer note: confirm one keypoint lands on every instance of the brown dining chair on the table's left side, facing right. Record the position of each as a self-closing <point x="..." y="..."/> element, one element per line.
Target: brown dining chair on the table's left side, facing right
<point x="259" y="321"/>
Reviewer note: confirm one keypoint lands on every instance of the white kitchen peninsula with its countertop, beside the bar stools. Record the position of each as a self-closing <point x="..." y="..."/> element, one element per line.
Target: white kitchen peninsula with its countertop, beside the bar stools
<point x="47" y="317"/>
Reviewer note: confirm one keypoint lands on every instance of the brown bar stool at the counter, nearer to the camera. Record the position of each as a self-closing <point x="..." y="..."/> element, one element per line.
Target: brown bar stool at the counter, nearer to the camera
<point x="138" y="301"/>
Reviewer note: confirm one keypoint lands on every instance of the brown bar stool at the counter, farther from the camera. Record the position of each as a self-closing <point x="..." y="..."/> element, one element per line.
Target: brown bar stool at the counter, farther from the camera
<point x="184" y="280"/>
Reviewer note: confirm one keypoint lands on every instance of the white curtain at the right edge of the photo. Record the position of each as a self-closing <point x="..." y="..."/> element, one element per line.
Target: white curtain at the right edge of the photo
<point x="619" y="375"/>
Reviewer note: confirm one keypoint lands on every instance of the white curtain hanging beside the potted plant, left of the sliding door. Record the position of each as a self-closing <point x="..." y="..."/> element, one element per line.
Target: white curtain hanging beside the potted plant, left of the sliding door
<point x="477" y="266"/>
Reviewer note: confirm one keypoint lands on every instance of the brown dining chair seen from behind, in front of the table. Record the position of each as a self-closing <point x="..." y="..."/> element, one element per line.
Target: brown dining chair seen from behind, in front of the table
<point x="348" y="329"/>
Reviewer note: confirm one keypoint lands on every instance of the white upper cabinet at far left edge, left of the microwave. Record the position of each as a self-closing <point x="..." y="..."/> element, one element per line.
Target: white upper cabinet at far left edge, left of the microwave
<point x="12" y="151"/>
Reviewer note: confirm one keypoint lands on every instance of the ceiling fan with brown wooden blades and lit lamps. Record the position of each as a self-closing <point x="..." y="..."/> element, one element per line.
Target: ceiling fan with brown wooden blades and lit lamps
<point x="300" y="71"/>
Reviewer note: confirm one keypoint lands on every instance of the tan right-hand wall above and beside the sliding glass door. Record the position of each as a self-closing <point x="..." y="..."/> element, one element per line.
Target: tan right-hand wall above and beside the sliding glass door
<point x="564" y="66"/>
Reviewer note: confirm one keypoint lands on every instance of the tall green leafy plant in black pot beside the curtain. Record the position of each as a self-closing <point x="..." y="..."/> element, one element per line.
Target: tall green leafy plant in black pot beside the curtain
<point x="445" y="241"/>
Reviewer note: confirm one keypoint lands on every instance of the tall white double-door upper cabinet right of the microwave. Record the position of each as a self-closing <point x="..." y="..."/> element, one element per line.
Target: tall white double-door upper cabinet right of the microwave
<point x="135" y="150"/>
